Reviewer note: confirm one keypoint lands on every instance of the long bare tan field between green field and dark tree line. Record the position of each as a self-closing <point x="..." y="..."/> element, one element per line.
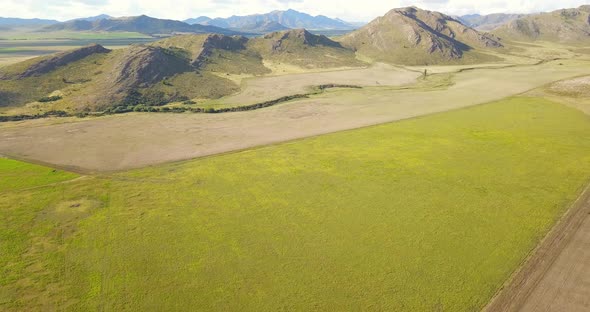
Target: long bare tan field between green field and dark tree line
<point x="136" y="140"/>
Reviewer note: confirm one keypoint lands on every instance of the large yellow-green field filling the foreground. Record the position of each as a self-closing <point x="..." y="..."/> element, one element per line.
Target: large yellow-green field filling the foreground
<point x="428" y="214"/>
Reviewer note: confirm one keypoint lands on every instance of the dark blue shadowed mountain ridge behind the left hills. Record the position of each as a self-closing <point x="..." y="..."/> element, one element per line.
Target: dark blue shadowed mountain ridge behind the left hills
<point x="141" y="24"/>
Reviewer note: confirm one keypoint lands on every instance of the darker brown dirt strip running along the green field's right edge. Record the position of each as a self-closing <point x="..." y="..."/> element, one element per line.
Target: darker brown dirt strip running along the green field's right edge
<point x="521" y="284"/>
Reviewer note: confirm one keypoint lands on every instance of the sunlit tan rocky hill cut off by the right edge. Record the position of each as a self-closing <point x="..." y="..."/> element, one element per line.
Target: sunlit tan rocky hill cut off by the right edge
<point x="567" y="25"/>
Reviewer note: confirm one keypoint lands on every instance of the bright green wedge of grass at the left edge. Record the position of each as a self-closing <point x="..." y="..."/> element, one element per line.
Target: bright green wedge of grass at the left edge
<point x="17" y="175"/>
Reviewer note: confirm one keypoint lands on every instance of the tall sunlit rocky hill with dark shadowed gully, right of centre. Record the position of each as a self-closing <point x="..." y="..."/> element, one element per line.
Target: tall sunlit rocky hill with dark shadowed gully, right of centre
<point x="414" y="36"/>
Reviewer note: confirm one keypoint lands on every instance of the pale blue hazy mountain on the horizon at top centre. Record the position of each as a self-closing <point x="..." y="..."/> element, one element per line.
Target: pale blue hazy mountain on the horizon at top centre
<point x="289" y="19"/>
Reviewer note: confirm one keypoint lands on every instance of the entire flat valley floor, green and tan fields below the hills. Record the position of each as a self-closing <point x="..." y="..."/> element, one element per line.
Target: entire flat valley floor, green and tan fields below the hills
<point x="434" y="212"/>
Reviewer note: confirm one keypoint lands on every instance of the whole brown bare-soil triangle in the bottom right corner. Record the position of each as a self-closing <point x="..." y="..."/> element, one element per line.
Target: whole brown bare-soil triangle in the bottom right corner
<point x="555" y="276"/>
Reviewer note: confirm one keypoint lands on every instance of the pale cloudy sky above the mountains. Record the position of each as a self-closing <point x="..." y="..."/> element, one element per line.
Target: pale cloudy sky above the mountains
<point x="354" y="11"/>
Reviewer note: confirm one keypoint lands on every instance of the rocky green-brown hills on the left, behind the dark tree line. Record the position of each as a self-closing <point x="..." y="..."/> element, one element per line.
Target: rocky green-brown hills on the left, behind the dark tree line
<point x="174" y="69"/>
